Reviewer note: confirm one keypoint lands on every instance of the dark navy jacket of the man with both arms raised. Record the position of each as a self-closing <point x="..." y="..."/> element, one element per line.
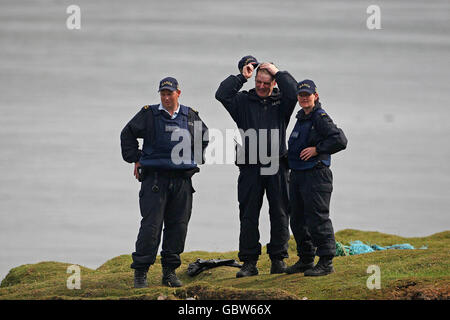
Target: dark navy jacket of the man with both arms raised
<point x="249" y="111"/>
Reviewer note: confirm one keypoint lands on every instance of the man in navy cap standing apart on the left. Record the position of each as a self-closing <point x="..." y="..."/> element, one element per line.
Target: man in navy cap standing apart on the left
<point x="166" y="187"/>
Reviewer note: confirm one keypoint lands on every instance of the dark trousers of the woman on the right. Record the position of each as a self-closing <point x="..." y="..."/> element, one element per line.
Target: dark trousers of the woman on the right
<point x="310" y="194"/>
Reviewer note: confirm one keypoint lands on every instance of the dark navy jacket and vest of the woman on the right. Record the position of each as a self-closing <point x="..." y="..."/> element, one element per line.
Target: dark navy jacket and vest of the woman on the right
<point x="315" y="129"/>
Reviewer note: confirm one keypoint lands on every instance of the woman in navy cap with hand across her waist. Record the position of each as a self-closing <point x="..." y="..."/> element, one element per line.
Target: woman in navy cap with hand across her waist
<point x="314" y="138"/>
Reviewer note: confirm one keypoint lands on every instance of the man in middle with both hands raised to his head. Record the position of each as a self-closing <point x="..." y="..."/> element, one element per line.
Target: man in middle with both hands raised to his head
<point x="268" y="108"/>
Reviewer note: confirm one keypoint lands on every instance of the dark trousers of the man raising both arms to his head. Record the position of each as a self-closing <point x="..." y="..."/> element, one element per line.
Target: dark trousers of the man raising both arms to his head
<point x="251" y="188"/>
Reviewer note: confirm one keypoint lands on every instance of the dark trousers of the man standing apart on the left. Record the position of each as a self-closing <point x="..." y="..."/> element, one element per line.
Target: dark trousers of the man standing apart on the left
<point x="170" y="206"/>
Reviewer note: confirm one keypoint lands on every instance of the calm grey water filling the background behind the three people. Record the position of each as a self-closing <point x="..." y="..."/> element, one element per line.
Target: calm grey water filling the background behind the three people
<point x="65" y="193"/>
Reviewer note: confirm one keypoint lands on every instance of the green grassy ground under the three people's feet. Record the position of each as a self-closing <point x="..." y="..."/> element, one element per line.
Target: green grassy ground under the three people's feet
<point x="405" y="274"/>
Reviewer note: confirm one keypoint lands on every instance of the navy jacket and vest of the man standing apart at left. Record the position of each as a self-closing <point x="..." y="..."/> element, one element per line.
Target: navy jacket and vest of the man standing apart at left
<point x="155" y="127"/>
